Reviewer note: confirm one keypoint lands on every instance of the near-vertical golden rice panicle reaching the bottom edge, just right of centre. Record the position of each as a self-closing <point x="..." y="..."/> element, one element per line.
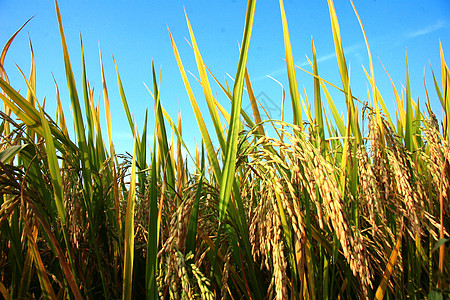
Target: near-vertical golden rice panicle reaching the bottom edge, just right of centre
<point x="266" y="231"/>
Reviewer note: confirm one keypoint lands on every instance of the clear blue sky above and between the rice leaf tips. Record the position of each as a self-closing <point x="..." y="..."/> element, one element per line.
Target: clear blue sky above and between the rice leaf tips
<point x="135" y="32"/>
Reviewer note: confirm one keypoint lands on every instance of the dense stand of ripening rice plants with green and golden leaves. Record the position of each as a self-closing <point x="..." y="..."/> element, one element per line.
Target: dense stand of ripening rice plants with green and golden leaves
<point x="322" y="209"/>
